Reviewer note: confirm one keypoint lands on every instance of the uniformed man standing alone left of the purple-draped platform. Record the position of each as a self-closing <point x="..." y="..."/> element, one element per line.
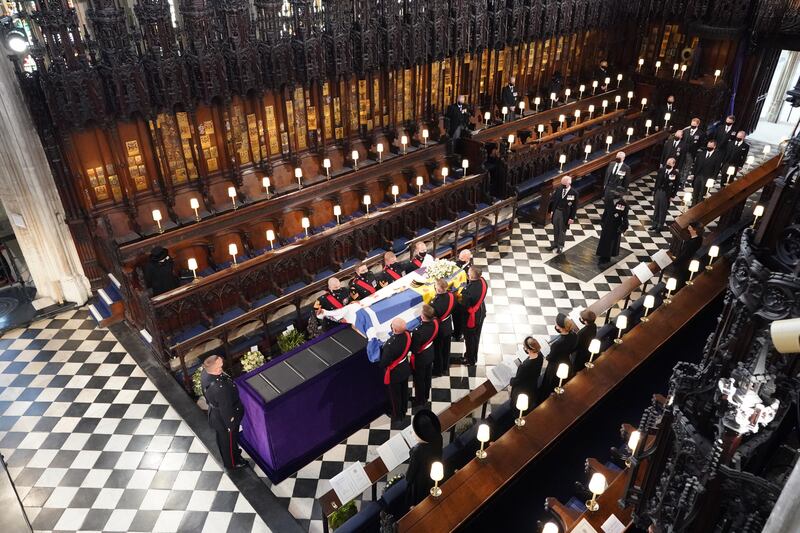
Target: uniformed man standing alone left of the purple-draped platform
<point x="225" y="410"/>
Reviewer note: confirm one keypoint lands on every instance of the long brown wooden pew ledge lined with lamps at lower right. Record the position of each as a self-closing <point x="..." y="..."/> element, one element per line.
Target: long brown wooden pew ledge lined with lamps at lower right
<point x="466" y="491"/>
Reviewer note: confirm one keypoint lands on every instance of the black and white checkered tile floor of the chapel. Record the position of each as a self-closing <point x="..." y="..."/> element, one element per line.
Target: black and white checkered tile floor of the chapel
<point x="91" y="444"/>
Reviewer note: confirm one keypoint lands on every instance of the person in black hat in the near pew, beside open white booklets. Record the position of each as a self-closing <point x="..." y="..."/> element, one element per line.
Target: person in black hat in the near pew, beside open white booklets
<point x="428" y="430"/>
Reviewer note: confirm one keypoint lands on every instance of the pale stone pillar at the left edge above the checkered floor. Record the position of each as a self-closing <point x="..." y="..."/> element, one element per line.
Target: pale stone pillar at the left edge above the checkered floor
<point x="30" y="198"/>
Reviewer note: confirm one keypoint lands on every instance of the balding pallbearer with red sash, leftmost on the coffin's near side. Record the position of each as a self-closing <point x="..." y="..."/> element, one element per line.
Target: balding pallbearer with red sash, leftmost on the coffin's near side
<point x="396" y="365"/>
